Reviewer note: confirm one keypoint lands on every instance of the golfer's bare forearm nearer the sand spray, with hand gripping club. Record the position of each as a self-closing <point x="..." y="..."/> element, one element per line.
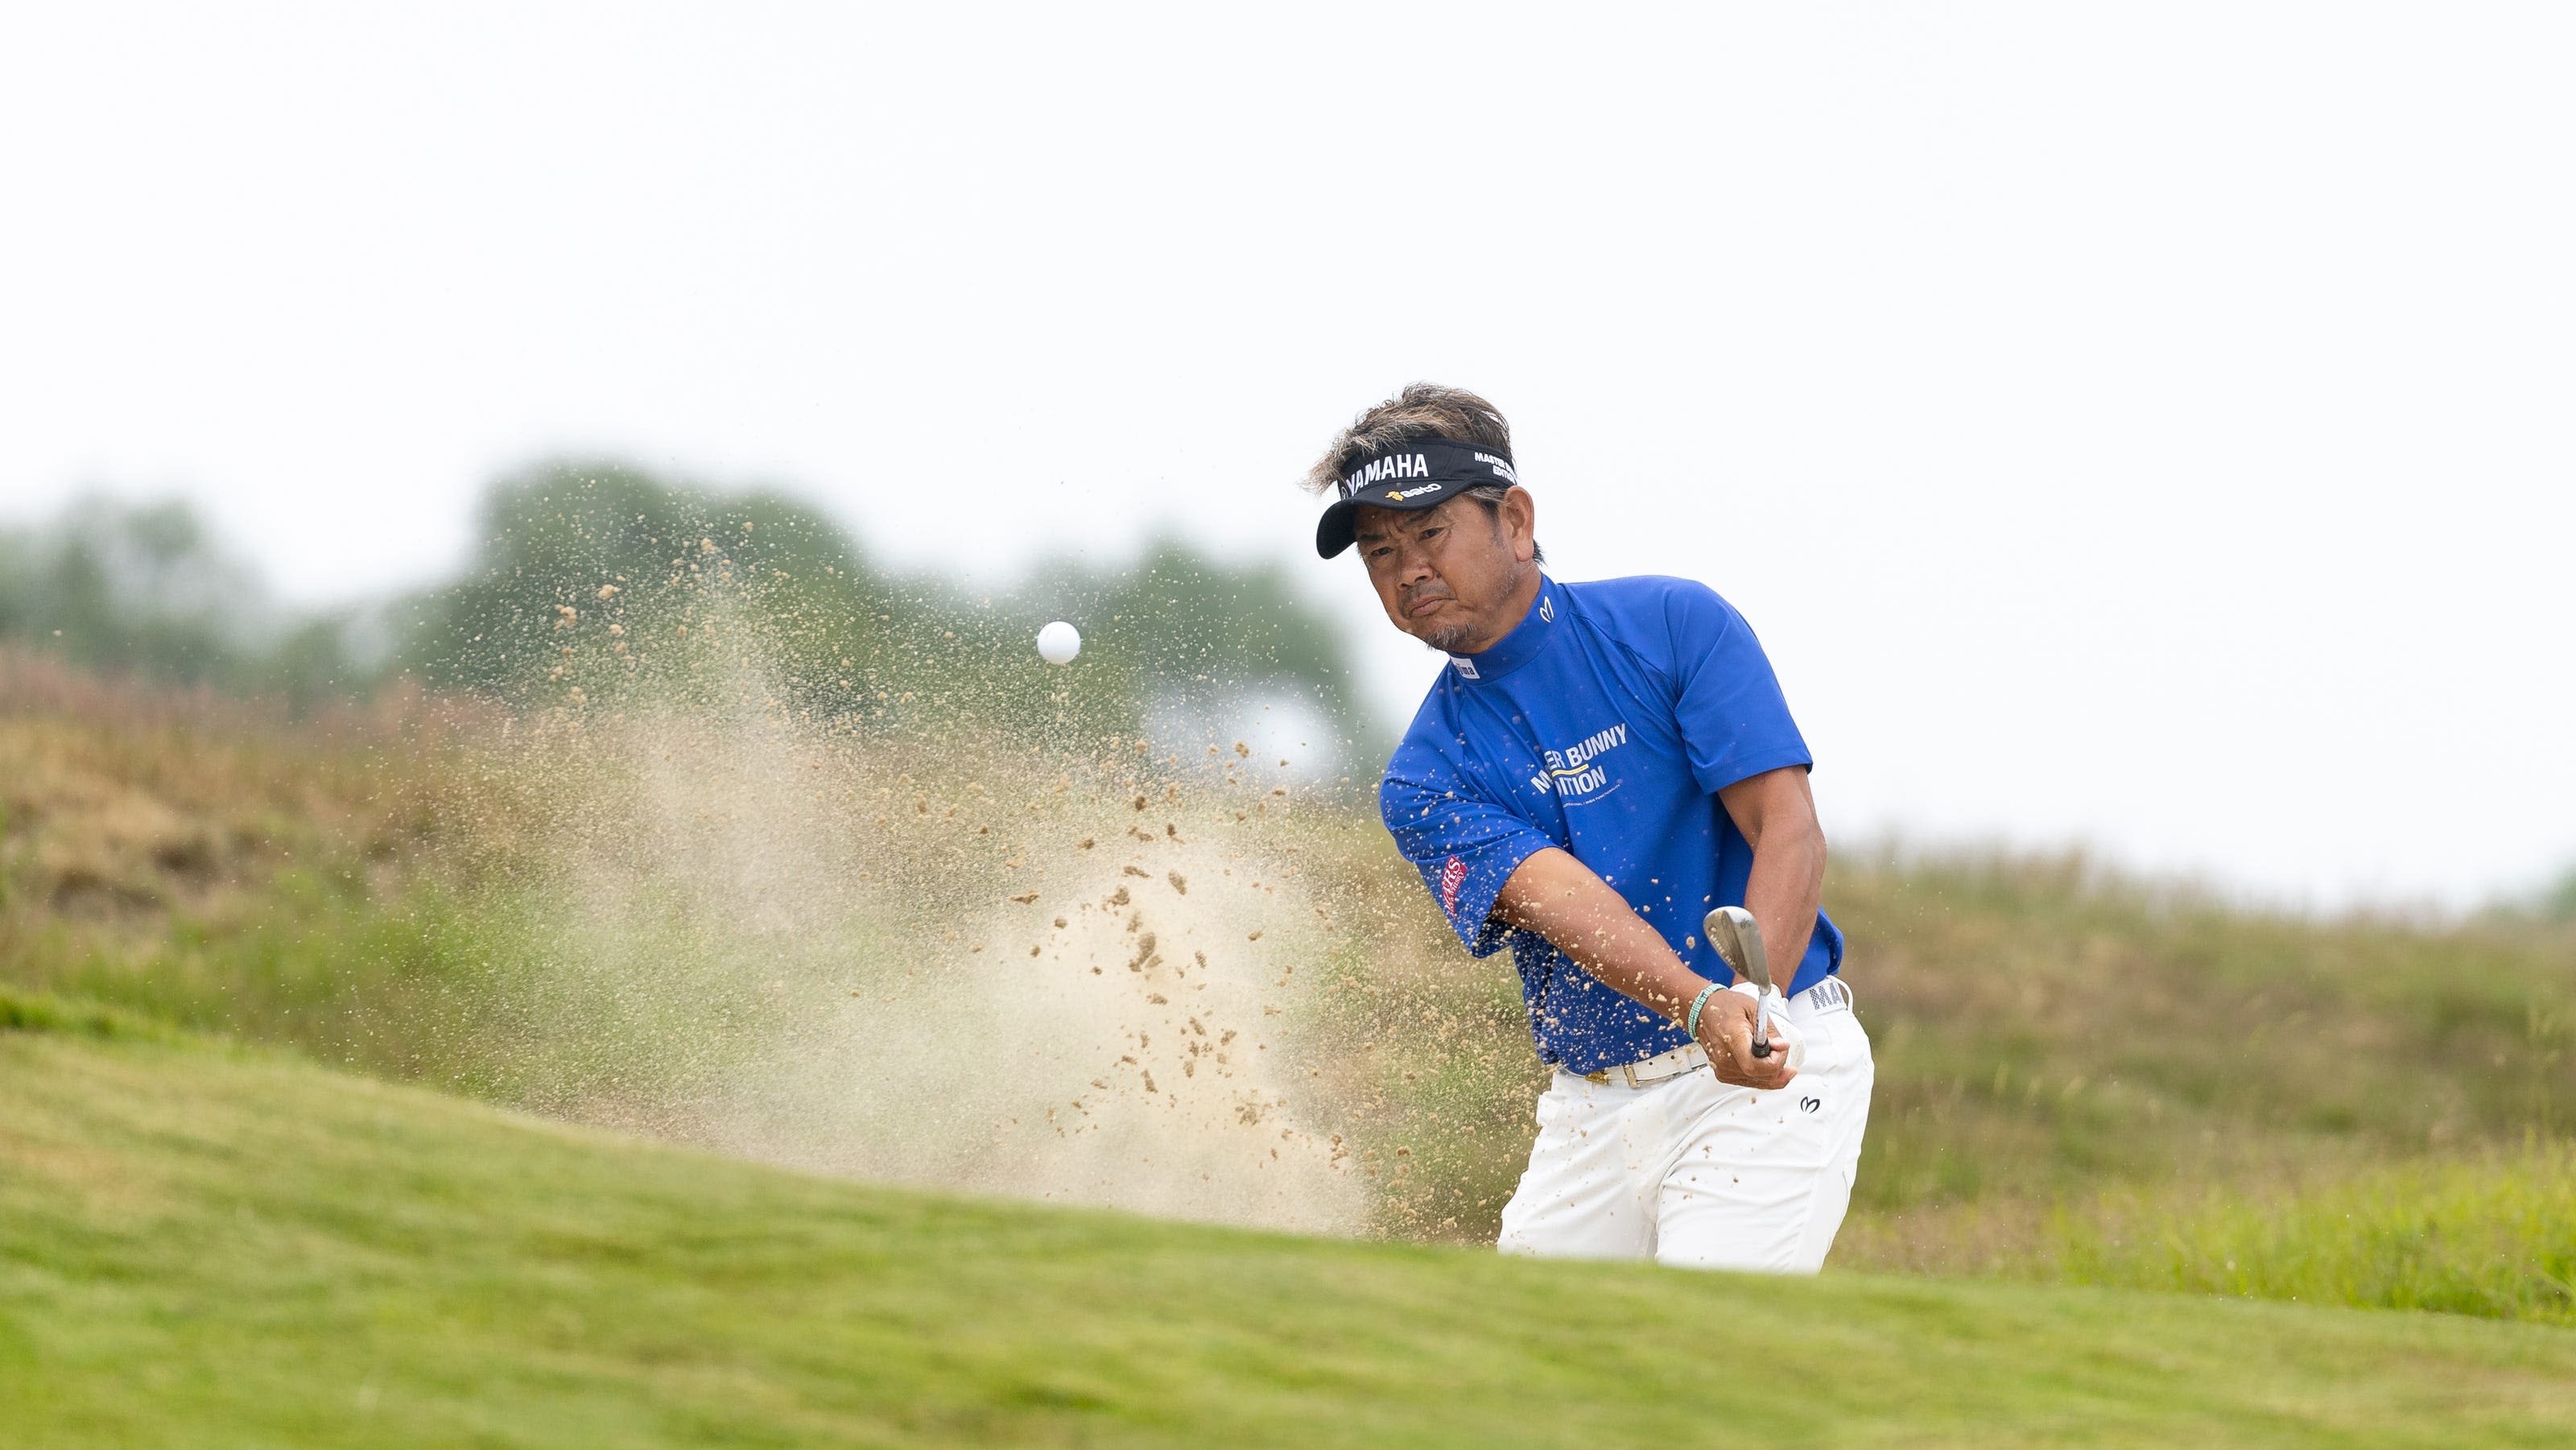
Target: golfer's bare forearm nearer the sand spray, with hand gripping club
<point x="1562" y="900"/>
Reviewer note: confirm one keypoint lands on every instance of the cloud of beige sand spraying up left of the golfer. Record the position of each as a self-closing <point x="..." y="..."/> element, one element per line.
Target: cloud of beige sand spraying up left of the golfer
<point x="923" y="954"/>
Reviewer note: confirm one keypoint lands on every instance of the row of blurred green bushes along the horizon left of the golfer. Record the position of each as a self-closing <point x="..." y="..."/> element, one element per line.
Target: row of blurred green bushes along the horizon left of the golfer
<point x="594" y="583"/>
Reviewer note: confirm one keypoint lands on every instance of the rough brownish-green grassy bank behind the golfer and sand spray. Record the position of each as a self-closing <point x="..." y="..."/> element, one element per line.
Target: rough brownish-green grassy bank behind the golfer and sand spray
<point x="2057" y="1096"/>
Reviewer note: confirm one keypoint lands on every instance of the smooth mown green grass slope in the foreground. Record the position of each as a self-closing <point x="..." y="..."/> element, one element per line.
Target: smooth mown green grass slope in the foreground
<point x="231" y="1248"/>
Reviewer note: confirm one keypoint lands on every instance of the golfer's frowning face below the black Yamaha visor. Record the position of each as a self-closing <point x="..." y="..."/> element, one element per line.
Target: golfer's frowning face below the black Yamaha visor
<point x="1457" y="576"/>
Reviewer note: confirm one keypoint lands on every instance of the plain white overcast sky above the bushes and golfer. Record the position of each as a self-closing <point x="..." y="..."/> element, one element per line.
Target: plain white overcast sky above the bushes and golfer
<point x="2142" y="426"/>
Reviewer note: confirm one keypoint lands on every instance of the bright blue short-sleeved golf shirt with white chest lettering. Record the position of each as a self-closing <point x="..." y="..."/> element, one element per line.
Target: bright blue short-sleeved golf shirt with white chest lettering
<point x="1604" y="725"/>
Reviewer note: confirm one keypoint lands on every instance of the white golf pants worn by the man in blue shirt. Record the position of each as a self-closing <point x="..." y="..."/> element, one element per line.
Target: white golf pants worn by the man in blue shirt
<point x="1696" y="1173"/>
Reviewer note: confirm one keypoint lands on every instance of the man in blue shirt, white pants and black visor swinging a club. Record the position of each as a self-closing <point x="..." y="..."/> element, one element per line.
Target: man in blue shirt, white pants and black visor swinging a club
<point x="1593" y="771"/>
